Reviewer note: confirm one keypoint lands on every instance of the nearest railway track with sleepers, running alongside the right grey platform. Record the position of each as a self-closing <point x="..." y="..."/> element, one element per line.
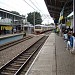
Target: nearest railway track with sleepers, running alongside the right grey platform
<point x="18" y="63"/>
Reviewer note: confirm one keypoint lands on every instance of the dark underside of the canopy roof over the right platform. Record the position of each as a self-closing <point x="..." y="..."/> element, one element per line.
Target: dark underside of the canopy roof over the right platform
<point x="55" y="7"/>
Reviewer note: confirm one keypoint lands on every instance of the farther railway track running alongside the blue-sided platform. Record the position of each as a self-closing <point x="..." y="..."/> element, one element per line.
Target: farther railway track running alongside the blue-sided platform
<point x="4" y="46"/>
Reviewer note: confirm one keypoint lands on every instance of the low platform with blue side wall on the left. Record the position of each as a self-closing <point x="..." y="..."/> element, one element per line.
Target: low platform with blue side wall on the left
<point x="10" y="37"/>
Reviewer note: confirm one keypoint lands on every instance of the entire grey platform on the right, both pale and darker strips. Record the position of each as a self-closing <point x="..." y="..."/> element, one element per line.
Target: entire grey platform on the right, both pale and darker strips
<point x="53" y="59"/>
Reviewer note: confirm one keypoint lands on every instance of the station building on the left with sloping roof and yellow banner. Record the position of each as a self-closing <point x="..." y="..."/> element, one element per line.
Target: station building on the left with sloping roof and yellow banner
<point x="10" y="21"/>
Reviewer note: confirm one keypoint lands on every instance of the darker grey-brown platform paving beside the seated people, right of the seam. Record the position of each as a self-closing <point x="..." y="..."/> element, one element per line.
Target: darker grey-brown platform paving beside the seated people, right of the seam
<point x="65" y="61"/>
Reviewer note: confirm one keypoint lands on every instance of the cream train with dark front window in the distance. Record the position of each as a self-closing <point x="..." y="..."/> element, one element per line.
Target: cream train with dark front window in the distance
<point x="38" y="29"/>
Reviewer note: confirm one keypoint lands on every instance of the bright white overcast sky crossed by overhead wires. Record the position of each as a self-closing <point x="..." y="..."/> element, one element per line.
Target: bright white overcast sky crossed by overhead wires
<point x="22" y="7"/>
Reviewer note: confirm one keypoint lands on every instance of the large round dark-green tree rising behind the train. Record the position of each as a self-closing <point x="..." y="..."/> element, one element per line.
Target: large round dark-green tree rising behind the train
<point x="38" y="19"/>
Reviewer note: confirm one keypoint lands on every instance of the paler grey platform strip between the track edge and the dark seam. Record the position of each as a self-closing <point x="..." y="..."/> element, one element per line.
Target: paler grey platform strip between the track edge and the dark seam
<point x="44" y="63"/>
